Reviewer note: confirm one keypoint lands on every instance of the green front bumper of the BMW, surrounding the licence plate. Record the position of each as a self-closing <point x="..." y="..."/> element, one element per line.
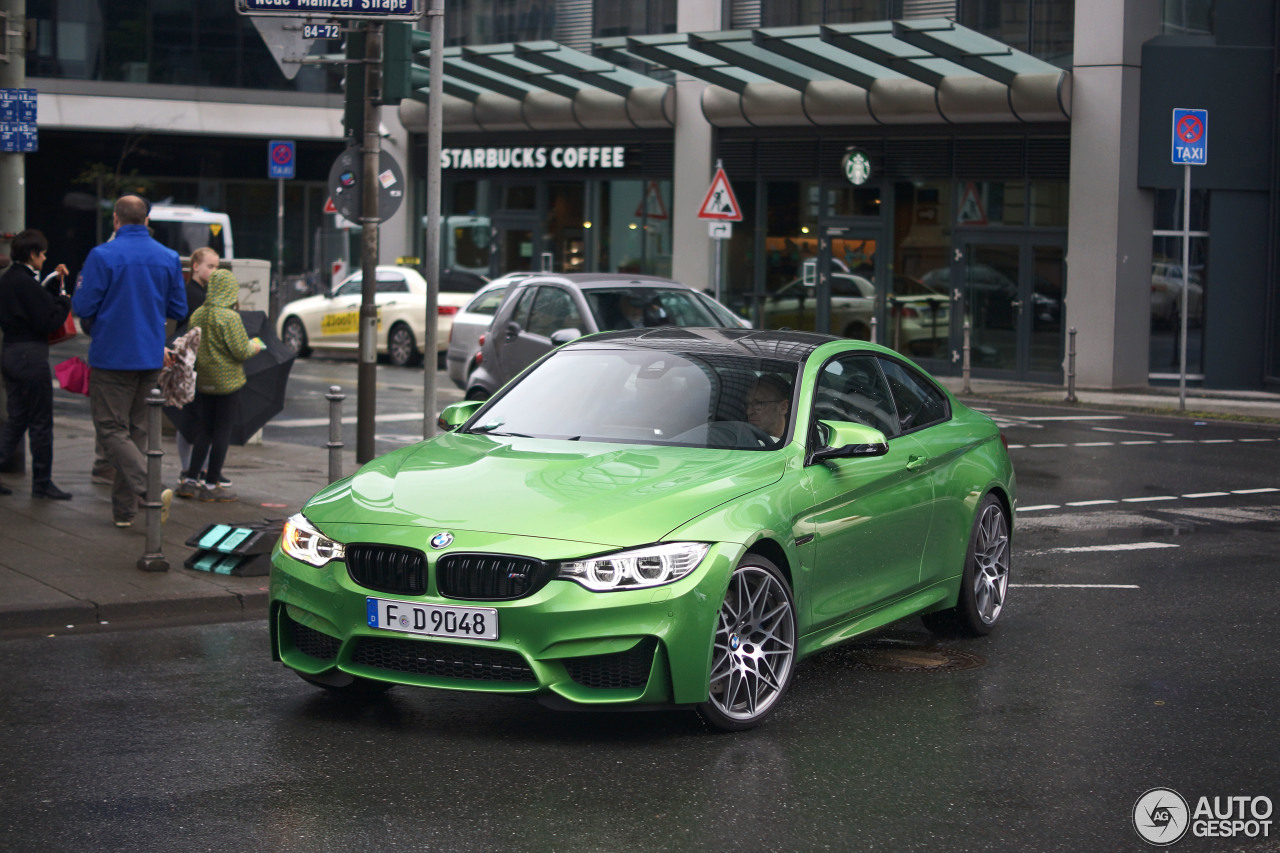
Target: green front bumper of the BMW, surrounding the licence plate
<point x="637" y="647"/>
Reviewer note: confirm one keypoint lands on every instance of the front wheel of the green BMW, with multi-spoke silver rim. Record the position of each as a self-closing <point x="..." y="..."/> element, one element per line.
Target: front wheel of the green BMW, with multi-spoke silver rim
<point x="753" y="650"/>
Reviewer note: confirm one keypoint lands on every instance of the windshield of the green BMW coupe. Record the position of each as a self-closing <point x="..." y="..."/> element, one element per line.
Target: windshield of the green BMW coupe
<point x="650" y="398"/>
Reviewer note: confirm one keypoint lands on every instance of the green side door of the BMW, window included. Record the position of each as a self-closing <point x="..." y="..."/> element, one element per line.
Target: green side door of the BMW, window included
<point x="871" y="516"/>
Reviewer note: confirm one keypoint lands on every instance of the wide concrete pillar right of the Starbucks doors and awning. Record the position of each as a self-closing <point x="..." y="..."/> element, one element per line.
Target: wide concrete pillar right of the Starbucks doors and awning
<point x="1109" y="245"/>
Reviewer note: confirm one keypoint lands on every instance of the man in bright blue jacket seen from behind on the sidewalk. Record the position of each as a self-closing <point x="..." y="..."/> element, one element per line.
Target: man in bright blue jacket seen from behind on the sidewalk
<point x="127" y="289"/>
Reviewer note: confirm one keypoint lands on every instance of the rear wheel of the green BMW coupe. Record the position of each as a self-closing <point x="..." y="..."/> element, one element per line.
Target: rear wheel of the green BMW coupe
<point x="985" y="581"/>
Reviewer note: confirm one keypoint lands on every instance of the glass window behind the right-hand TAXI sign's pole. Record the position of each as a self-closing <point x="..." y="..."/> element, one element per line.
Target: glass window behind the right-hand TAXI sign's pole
<point x="1168" y="281"/>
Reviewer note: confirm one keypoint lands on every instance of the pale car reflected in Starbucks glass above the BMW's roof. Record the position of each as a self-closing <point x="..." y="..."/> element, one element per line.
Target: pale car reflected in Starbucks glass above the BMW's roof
<point x="917" y="321"/>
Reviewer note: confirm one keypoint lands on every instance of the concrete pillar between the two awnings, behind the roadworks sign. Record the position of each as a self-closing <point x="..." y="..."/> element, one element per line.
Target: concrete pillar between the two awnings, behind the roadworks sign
<point x="692" y="245"/>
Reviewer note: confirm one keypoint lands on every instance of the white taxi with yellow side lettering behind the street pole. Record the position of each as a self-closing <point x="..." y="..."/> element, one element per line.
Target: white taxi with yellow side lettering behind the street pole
<point x="333" y="322"/>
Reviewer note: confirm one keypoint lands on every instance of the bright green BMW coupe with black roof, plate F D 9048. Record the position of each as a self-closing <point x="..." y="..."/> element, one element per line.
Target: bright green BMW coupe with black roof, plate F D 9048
<point x="655" y="518"/>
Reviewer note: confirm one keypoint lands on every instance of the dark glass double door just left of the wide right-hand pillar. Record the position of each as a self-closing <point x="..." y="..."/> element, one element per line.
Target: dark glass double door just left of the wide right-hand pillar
<point x="1012" y="290"/>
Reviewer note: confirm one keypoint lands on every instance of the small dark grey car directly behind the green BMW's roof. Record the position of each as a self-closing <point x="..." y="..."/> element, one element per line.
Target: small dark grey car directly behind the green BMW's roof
<point x="546" y="311"/>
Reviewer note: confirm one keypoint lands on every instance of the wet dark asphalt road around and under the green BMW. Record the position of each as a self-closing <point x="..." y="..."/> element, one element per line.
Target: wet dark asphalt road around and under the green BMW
<point x="1139" y="651"/>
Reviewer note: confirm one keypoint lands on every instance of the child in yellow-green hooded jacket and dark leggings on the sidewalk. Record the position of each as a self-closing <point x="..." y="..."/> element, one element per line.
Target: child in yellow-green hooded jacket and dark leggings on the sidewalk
<point x="225" y="346"/>
